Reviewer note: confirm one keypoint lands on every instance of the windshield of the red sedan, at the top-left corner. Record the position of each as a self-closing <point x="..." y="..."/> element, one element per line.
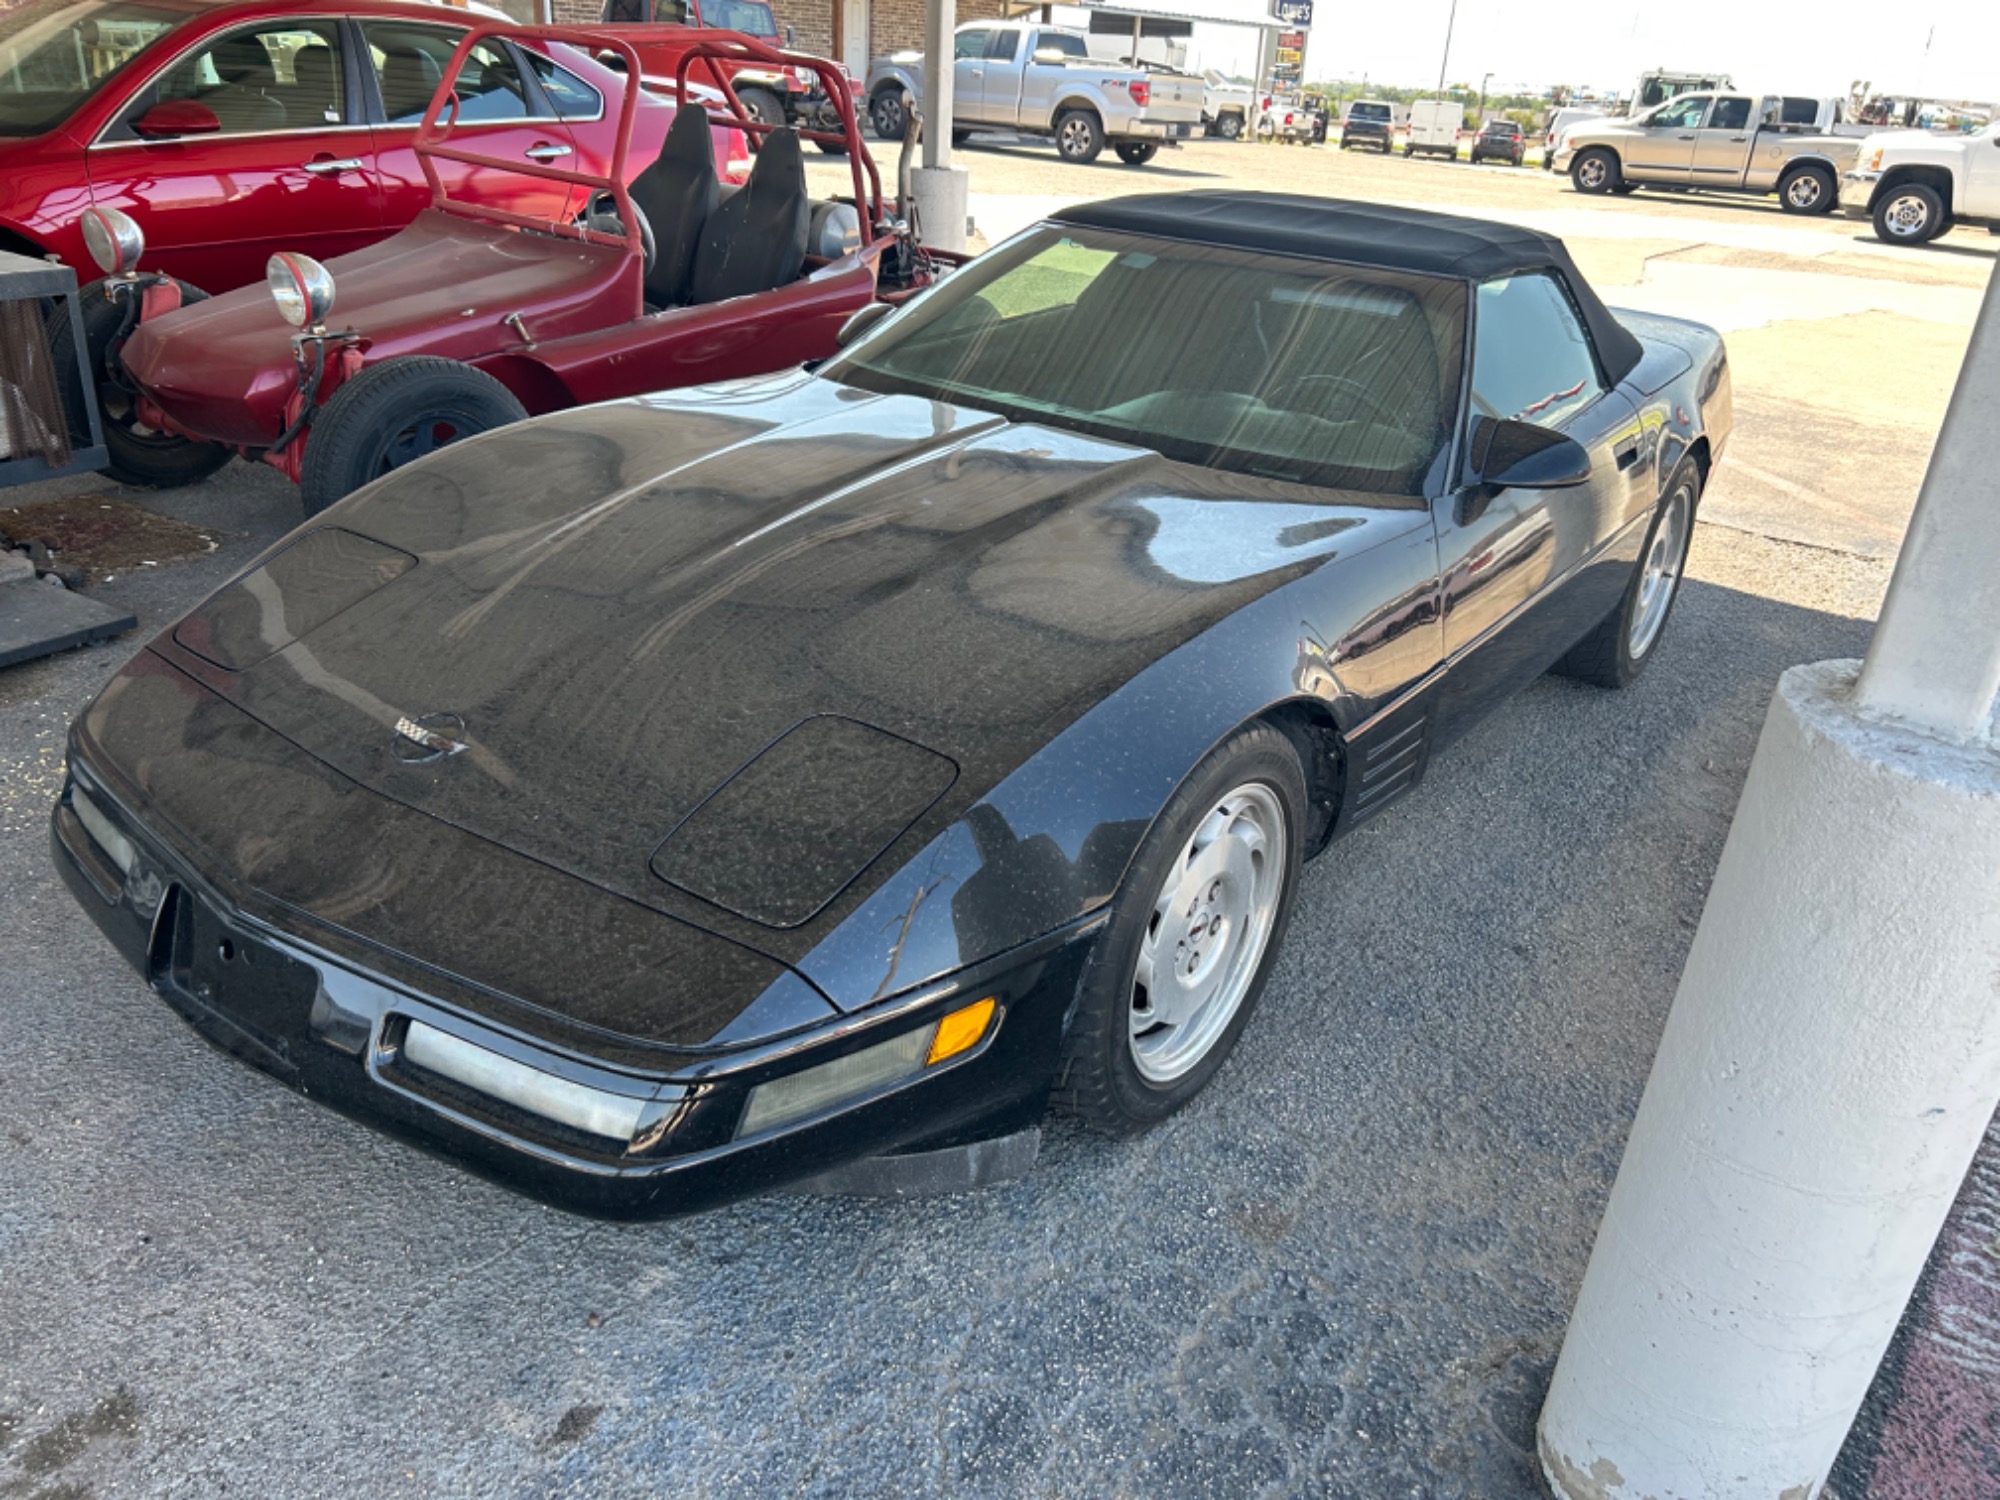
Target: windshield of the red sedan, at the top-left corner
<point x="55" y="55"/>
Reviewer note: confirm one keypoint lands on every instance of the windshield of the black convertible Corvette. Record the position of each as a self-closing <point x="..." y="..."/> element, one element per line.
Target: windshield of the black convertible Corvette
<point x="1269" y="365"/>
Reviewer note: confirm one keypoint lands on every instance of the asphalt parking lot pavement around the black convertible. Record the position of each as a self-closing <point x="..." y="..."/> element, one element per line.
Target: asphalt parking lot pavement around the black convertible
<point x="1343" y="1271"/>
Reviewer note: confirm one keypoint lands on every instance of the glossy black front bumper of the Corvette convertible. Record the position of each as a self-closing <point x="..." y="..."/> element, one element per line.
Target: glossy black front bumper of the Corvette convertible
<point x="339" y="1033"/>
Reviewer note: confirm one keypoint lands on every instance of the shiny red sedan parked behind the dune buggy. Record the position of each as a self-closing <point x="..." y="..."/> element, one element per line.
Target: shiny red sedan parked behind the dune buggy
<point x="233" y="131"/>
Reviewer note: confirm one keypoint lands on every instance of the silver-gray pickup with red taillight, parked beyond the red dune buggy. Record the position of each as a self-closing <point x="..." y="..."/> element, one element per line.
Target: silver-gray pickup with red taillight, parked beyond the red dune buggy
<point x="1041" y="81"/>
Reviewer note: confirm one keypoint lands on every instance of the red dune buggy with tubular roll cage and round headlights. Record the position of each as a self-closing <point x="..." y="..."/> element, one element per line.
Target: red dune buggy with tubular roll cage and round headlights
<point x="477" y="317"/>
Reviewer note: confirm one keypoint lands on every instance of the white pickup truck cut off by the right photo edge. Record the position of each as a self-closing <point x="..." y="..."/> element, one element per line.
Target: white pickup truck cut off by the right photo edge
<point x="1915" y="185"/>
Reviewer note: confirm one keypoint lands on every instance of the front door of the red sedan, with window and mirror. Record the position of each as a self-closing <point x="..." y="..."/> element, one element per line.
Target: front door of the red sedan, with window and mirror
<point x="267" y="153"/>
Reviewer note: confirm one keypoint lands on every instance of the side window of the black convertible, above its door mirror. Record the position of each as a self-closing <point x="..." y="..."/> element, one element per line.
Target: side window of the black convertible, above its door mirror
<point x="1531" y="357"/>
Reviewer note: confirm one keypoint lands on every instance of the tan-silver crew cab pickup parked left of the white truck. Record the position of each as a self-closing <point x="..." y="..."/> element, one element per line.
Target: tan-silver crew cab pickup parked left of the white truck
<point x="1717" y="143"/>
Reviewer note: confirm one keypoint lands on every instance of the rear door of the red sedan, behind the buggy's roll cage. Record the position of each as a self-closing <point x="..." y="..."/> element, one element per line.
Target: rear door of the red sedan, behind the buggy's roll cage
<point x="503" y="113"/>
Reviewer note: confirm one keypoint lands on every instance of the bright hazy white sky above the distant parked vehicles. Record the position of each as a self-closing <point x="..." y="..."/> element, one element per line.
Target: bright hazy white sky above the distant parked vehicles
<point x="1809" y="47"/>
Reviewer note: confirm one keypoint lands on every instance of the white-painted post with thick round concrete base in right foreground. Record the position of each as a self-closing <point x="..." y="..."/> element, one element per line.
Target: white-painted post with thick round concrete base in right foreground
<point x="1833" y="1055"/>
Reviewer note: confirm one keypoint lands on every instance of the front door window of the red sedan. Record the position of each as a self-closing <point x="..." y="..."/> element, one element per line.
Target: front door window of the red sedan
<point x="283" y="75"/>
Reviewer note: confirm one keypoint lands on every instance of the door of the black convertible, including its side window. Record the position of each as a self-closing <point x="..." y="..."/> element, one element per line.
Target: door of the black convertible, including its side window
<point x="1521" y="567"/>
